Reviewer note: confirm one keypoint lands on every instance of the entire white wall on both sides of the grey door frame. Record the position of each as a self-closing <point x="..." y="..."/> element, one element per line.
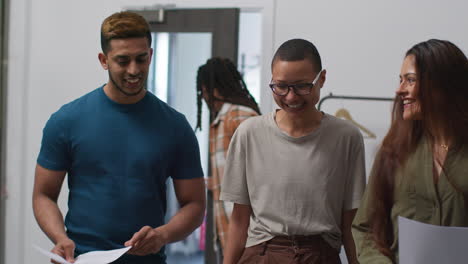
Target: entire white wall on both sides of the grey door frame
<point x="53" y="59"/>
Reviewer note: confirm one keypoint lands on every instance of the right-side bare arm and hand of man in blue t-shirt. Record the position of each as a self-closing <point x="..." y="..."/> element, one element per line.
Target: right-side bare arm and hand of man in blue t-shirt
<point x="191" y="196"/>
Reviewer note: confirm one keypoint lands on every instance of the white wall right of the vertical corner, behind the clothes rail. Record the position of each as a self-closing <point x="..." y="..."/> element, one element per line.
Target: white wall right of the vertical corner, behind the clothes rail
<point x="362" y="44"/>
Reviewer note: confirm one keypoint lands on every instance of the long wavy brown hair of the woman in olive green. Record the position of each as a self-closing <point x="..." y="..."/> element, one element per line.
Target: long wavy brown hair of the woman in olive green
<point x="442" y="76"/>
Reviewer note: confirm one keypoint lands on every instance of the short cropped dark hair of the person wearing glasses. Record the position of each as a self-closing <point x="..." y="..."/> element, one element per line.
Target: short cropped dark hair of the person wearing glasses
<point x="297" y="50"/>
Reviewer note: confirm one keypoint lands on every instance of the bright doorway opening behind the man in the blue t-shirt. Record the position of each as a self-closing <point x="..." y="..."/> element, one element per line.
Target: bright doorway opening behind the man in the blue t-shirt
<point x="172" y="79"/>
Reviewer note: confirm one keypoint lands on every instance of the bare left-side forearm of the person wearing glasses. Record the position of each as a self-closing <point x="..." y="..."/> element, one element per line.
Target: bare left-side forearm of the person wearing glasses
<point x="237" y="233"/>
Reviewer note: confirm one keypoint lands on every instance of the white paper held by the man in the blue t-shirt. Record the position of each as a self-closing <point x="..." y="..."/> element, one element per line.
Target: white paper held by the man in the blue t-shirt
<point x="93" y="257"/>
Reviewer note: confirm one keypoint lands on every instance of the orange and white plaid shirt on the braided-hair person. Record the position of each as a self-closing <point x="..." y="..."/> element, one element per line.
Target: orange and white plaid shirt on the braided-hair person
<point x="221" y="131"/>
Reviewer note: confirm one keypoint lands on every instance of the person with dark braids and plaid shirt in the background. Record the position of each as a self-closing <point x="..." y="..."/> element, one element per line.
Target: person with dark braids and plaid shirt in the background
<point x="222" y="87"/>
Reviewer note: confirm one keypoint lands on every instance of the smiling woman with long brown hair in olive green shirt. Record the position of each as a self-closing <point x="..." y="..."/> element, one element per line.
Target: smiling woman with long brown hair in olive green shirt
<point x="421" y="170"/>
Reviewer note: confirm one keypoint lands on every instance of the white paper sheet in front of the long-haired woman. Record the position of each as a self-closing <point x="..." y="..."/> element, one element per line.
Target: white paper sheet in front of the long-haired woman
<point x="421" y="243"/>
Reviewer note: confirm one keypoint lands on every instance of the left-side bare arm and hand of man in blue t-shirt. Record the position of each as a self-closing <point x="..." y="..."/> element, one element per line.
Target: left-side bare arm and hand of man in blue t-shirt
<point x="47" y="185"/>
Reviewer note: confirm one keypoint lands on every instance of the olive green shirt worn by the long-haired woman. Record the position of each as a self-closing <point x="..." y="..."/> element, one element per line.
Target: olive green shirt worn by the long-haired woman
<point x="417" y="197"/>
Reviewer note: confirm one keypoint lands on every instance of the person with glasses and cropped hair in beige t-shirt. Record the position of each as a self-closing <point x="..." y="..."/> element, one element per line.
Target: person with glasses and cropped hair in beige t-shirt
<point x="295" y="175"/>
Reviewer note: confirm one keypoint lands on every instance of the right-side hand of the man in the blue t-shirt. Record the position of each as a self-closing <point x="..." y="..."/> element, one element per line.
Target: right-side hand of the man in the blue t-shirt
<point x="147" y="241"/>
